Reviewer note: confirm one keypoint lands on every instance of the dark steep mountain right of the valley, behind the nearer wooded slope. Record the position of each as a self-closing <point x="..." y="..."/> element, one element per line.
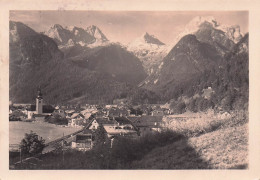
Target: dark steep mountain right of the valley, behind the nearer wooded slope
<point x="188" y="58"/>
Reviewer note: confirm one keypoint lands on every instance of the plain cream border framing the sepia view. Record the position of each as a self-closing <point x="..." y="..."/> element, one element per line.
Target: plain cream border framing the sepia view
<point x="117" y="5"/>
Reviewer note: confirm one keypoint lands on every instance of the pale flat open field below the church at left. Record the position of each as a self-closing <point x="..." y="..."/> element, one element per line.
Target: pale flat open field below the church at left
<point x="47" y="131"/>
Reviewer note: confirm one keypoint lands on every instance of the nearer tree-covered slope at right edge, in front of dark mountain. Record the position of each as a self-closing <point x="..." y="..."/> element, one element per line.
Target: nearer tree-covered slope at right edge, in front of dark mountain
<point x="224" y="87"/>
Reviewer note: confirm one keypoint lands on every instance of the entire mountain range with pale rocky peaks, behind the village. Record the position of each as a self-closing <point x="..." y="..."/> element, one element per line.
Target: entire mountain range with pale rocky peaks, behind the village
<point x="80" y="65"/>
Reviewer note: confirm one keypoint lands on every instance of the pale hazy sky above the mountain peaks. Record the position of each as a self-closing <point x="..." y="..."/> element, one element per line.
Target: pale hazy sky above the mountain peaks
<point x="125" y="26"/>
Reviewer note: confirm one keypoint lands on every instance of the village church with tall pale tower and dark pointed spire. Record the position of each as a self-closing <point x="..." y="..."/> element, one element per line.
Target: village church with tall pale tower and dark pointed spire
<point x="39" y="111"/>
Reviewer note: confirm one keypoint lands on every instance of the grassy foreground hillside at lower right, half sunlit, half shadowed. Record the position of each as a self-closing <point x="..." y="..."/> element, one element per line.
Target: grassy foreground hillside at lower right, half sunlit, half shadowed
<point x="221" y="149"/>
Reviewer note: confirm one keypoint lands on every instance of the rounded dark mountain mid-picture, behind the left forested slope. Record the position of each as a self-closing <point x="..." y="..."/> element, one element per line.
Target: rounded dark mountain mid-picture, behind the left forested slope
<point x="113" y="60"/>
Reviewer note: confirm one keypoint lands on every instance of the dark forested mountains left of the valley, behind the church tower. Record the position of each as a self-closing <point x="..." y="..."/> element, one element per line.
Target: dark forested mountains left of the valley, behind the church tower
<point x="98" y="74"/>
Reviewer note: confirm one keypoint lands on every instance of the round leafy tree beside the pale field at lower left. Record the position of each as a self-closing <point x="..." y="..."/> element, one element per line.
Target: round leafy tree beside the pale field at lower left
<point x="32" y="144"/>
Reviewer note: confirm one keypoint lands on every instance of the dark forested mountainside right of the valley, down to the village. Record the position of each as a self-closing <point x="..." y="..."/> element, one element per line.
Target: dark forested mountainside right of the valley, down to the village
<point x="193" y="68"/>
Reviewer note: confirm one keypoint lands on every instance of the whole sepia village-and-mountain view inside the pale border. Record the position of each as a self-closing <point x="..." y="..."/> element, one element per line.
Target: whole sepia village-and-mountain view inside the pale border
<point x="128" y="90"/>
